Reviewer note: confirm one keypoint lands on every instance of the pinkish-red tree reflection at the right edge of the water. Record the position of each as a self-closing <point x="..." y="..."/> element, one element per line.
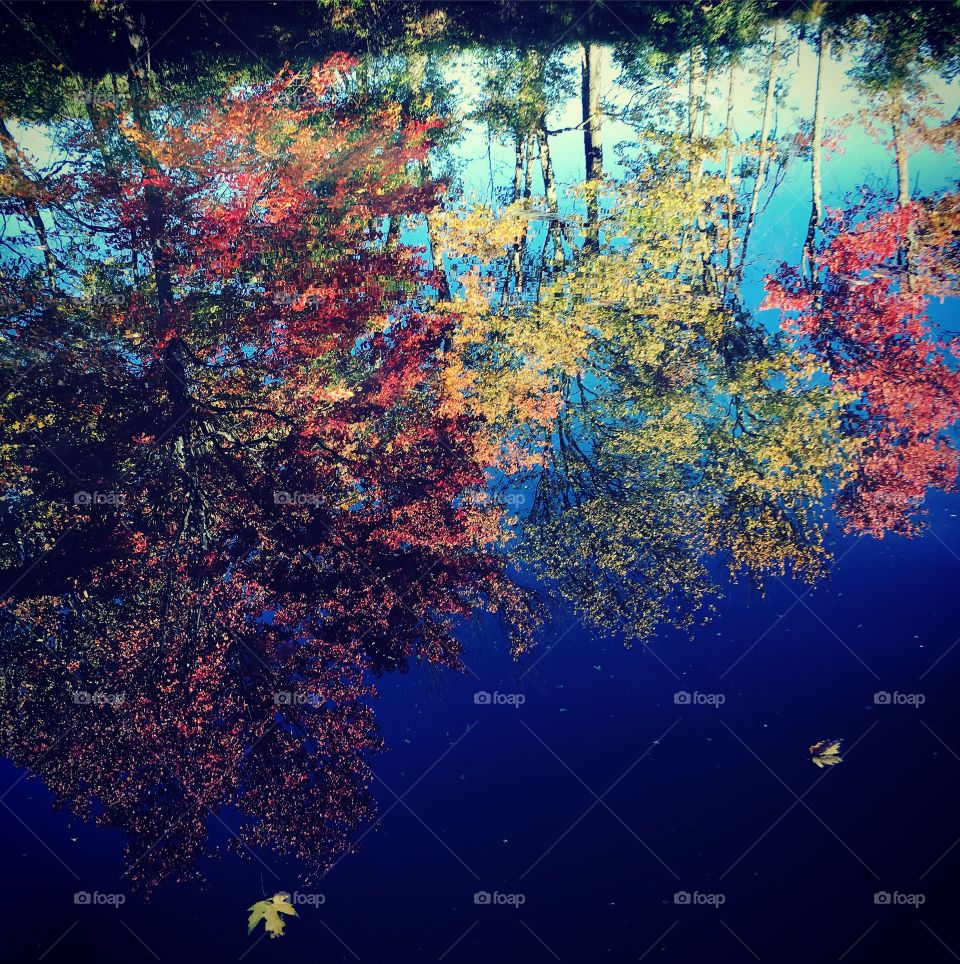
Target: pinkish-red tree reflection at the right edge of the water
<point x="864" y="315"/>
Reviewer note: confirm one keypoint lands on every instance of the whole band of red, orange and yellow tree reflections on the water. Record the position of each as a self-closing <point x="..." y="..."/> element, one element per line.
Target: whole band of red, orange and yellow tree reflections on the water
<point x="284" y="400"/>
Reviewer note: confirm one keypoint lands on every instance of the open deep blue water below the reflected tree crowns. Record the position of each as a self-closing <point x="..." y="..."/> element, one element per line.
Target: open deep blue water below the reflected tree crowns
<point x="591" y="805"/>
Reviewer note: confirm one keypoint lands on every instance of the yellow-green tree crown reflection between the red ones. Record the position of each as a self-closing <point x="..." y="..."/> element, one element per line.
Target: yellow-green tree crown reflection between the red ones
<point x="678" y="431"/>
